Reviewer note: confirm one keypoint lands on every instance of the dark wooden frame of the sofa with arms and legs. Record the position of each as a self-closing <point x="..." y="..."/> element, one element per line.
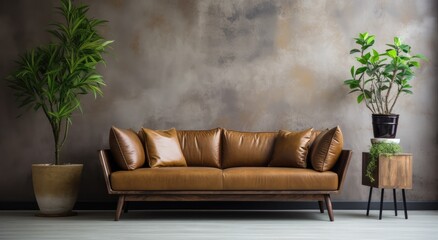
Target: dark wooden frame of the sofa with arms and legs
<point x="130" y="196"/>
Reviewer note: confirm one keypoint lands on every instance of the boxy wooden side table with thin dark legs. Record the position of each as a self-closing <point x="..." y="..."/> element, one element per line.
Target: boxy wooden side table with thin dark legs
<point x="394" y="172"/>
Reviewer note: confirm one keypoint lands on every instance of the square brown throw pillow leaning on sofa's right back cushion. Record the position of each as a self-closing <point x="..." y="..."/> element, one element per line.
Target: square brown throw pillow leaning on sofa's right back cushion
<point x="291" y="148"/>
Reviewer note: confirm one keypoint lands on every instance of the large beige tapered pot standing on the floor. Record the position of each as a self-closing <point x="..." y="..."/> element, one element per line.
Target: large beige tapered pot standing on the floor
<point x="56" y="188"/>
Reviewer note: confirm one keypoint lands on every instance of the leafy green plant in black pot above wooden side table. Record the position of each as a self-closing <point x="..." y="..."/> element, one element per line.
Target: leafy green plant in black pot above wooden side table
<point x="381" y="78"/>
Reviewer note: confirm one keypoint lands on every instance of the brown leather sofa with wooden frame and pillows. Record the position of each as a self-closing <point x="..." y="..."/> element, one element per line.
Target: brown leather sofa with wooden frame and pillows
<point x="225" y="165"/>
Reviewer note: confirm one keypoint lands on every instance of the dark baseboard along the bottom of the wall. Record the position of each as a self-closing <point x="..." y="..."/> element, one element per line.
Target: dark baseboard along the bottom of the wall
<point x="225" y="205"/>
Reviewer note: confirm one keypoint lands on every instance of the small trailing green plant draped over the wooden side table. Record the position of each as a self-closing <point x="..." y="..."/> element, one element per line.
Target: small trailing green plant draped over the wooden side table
<point x="377" y="149"/>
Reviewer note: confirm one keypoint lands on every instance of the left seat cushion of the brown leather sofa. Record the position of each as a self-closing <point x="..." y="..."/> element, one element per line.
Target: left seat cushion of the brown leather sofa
<point x="168" y="178"/>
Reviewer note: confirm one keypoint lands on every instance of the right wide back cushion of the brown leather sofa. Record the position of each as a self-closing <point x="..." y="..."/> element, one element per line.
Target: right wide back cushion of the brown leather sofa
<point x="247" y="149"/>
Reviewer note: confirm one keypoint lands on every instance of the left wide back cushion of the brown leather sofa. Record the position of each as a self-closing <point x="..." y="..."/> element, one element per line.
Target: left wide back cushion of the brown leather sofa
<point x="201" y="148"/>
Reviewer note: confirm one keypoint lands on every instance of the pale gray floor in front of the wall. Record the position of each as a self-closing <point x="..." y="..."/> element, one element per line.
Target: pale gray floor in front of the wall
<point x="161" y="225"/>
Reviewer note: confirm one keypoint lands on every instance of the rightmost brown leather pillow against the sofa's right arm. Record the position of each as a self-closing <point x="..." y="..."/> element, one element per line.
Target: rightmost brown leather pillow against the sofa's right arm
<point x="326" y="149"/>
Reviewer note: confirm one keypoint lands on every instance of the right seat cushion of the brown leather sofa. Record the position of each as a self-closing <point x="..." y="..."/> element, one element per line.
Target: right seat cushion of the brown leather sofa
<point x="274" y="178"/>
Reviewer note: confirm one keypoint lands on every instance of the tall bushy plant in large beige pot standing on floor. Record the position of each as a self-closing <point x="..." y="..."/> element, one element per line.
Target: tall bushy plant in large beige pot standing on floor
<point x="51" y="78"/>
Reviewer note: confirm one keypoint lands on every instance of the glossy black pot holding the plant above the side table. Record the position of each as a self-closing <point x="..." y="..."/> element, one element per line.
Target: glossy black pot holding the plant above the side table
<point x="385" y="126"/>
